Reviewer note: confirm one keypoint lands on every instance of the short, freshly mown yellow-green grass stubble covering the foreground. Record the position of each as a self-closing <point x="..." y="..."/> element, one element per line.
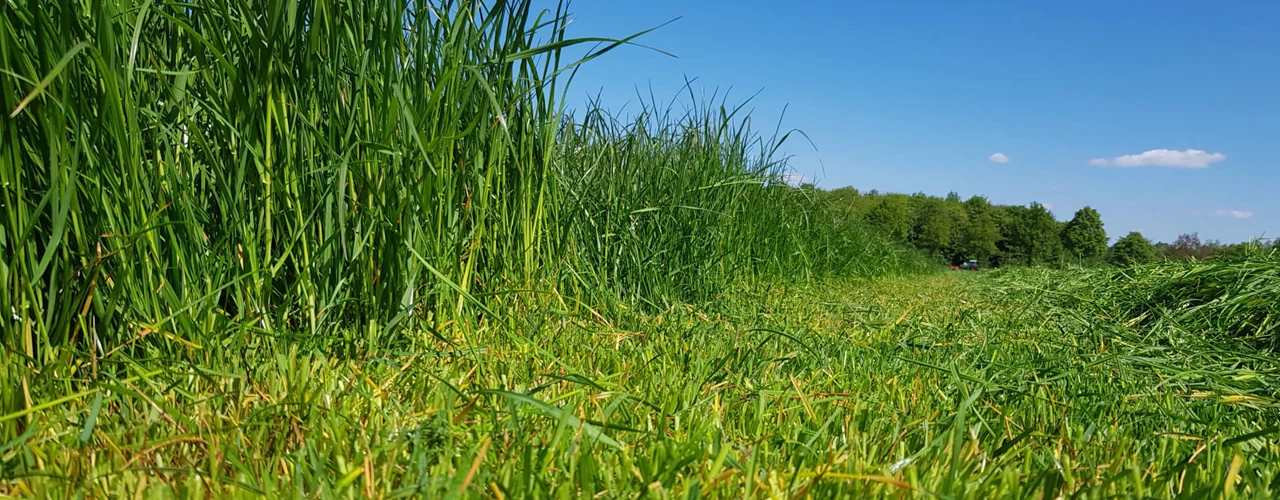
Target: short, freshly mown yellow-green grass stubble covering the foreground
<point x="945" y="386"/>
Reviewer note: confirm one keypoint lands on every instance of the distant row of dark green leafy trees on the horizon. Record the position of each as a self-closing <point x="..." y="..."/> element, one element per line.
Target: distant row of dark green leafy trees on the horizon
<point x="953" y="231"/>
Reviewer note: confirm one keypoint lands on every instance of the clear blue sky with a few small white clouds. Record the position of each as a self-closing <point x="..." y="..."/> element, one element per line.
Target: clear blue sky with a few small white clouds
<point x="917" y="97"/>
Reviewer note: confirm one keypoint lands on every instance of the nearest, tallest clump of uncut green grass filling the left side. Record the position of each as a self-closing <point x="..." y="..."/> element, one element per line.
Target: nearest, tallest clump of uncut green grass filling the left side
<point x="281" y="167"/>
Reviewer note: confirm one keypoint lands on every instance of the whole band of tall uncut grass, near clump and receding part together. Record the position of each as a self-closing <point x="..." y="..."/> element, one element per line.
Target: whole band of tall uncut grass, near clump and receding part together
<point x="182" y="176"/>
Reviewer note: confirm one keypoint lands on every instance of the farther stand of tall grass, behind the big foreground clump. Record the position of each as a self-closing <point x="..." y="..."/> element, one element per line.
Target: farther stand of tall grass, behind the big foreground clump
<point x="671" y="205"/>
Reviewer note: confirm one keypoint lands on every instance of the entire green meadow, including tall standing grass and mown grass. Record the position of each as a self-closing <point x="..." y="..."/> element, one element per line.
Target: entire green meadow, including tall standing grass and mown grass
<point x="364" y="250"/>
